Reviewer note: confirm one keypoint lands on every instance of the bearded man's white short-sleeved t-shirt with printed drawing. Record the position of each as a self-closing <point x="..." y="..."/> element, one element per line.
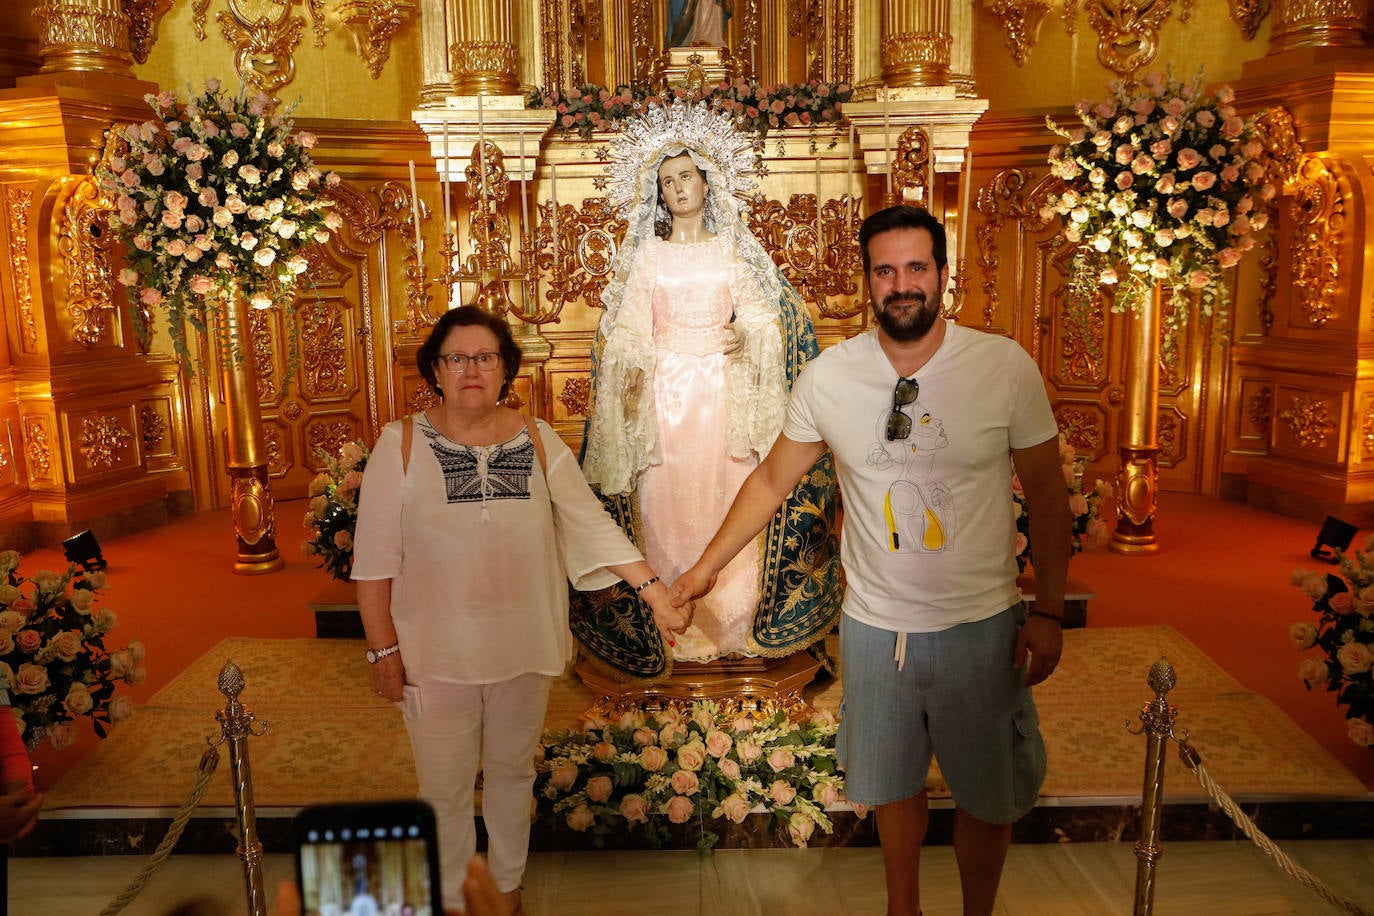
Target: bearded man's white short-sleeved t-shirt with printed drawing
<point x="928" y="539"/>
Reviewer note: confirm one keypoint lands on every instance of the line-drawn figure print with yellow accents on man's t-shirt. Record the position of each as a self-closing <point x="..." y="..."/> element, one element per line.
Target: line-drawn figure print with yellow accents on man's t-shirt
<point x="919" y="505"/>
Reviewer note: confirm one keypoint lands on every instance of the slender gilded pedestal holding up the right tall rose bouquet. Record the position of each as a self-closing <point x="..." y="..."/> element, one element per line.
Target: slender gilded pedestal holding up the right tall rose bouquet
<point x="1138" y="481"/>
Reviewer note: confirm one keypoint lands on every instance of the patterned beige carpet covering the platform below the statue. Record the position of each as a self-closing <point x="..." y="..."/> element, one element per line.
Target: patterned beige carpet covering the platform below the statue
<point x="332" y="740"/>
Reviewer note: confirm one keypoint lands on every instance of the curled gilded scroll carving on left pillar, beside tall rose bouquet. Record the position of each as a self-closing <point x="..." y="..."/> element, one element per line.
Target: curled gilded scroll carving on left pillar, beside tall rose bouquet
<point x="85" y="244"/>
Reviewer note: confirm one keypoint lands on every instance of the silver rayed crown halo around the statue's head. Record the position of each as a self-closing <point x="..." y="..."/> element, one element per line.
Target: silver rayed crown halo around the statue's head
<point x="646" y="139"/>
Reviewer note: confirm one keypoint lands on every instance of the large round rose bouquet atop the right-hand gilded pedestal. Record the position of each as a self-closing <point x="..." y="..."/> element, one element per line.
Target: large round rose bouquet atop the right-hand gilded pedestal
<point x="1163" y="185"/>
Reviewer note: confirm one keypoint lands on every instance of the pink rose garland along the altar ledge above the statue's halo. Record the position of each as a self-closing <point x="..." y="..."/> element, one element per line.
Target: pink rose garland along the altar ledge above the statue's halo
<point x="758" y="109"/>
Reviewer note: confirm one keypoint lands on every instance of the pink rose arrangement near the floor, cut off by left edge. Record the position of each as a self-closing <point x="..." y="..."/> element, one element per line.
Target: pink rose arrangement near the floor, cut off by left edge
<point x="53" y="654"/>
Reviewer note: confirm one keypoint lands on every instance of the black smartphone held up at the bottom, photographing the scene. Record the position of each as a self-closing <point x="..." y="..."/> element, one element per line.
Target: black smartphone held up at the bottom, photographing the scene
<point x="369" y="859"/>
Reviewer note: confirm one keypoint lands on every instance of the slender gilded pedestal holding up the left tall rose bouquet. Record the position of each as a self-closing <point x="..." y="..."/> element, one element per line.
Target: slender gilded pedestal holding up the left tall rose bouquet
<point x="249" y="496"/>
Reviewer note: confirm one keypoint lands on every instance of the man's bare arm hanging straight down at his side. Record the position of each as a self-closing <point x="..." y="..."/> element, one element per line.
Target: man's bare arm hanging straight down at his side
<point x="1048" y="503"/>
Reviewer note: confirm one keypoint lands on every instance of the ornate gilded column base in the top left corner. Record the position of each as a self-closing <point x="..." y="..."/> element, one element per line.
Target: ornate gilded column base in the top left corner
<point x="85" y="36"/>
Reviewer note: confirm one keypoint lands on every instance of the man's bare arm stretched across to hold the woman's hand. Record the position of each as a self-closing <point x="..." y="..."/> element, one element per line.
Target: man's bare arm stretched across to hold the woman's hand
<point x="761" y="496"/>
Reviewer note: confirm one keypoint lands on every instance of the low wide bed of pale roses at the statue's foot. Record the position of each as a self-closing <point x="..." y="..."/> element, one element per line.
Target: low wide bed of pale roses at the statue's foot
<point x="696" y="766"/>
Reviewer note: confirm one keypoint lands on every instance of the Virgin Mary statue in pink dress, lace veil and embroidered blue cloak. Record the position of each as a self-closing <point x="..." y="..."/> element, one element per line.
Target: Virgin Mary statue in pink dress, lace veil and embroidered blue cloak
<point x="699" y="344"/>
